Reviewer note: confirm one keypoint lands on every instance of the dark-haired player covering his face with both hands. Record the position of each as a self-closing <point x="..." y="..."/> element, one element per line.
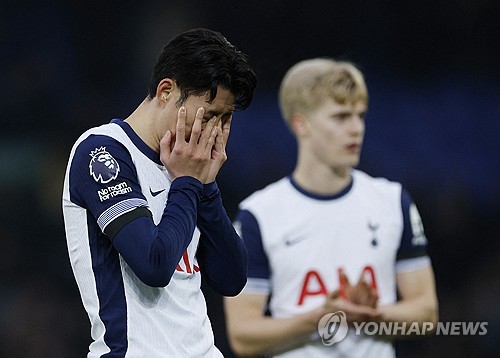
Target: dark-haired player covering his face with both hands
<point x="143" y="214"/>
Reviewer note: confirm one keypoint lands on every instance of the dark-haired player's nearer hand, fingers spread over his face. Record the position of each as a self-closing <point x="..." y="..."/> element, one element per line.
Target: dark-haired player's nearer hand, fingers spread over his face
<point x="192" y="157"/>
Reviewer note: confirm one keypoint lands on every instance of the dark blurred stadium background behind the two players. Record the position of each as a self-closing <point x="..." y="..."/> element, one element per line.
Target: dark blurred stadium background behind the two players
<point x="433" y="73"/>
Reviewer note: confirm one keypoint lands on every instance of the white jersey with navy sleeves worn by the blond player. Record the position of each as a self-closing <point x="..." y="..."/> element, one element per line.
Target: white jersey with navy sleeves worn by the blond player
<point x="297" y="242"/>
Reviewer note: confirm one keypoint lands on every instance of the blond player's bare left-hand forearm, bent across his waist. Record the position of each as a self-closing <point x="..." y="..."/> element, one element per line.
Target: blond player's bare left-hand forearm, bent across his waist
<point x="268" y="335"/>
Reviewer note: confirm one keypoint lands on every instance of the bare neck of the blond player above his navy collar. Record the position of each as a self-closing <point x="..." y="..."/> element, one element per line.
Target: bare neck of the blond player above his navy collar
<point x="322" y="180"/>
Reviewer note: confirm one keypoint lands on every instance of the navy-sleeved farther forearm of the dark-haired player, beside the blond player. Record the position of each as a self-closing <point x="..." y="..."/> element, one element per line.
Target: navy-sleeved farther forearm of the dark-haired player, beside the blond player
<point x="222" y="255"/>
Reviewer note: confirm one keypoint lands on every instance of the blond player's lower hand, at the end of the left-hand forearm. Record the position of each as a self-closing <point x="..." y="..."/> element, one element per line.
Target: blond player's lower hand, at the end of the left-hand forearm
<point x="354" y="312"/>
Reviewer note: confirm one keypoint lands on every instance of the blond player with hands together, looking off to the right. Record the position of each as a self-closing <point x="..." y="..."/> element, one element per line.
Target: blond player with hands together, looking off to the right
<point x="328" y="238"/>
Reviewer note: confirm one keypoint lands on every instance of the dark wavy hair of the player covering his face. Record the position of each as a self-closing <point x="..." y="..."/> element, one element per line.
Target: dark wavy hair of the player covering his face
<point x="201" y="60"/>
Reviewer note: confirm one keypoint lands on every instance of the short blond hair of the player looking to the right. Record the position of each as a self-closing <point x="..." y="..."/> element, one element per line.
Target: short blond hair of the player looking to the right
<point x="310" y="82"/>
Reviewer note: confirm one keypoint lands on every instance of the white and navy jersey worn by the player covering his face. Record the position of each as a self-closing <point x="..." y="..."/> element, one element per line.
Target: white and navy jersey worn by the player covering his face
<point x="128" y="318"/>
